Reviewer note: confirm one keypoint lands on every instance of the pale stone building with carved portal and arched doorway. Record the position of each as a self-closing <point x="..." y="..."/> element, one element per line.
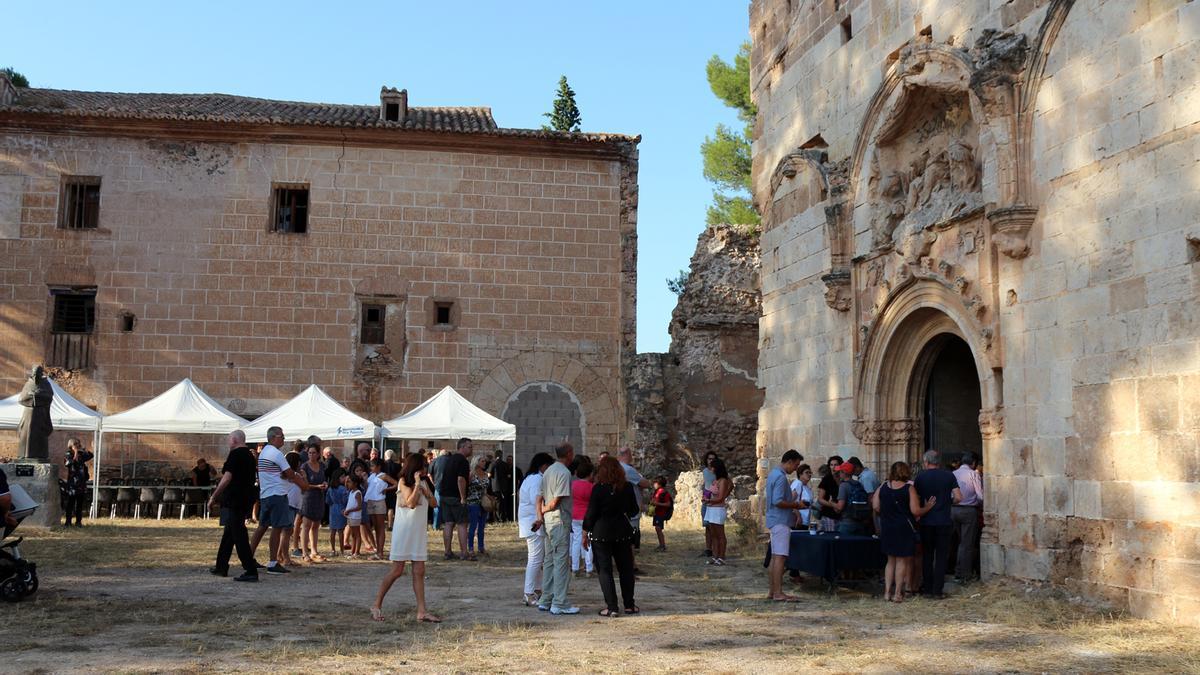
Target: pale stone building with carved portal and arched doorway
<point x="981" y="234"/>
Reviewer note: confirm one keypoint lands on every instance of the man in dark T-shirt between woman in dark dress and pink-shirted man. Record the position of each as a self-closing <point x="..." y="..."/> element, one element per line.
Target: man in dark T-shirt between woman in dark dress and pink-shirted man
<point x="938" y="487"/>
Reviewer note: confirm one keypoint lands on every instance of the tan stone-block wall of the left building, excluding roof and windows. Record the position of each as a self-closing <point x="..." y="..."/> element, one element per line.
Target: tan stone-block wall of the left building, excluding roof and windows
<point x="530" y="248"/>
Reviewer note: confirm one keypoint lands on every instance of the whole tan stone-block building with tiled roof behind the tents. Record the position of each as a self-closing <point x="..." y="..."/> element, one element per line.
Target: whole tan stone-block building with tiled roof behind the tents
<point x="259" y="247"/>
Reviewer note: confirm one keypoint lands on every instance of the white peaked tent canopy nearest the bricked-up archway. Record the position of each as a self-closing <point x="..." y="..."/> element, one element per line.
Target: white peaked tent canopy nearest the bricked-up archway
<point x="449" y="416"/>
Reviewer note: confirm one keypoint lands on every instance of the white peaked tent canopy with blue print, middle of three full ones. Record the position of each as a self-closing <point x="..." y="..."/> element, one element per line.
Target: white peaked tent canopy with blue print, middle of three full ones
<point x="311" y="413"/>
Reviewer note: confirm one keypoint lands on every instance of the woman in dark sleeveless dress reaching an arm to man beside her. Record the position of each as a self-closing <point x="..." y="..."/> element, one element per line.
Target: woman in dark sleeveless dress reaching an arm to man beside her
<point x="897" y="504"/>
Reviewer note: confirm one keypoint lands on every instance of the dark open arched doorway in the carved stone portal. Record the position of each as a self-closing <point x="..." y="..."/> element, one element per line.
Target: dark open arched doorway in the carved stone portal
<point x="946" y="399"/>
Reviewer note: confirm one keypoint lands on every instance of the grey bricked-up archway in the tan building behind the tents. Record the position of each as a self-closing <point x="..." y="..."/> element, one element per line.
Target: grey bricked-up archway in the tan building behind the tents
<point x="545" y="415"/>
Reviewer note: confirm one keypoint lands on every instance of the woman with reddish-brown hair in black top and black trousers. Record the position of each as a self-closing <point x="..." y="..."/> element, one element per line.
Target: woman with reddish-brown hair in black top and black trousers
<point x="610" y="535"/>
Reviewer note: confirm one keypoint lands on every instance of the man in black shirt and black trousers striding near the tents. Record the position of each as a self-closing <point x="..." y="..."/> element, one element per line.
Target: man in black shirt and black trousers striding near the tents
<point x="235" y="495"/>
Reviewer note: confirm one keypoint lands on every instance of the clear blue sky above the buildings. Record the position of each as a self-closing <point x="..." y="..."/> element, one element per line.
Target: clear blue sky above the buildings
<point x="637" y="68"/>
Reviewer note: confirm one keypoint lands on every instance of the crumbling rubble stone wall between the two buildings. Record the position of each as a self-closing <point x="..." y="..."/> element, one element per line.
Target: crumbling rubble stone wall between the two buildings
<point x="703" y="396"/>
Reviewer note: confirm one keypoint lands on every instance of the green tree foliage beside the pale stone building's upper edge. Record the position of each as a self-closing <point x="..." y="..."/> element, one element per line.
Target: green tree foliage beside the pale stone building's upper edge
<point x="727" y="153"/>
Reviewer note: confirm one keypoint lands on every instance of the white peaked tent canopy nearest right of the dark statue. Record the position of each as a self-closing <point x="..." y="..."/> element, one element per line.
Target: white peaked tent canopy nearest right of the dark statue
<point x="184" y="409"/>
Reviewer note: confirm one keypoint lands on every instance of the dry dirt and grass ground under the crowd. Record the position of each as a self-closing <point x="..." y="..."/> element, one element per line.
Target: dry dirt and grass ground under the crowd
<point x="136" y="598"/>
